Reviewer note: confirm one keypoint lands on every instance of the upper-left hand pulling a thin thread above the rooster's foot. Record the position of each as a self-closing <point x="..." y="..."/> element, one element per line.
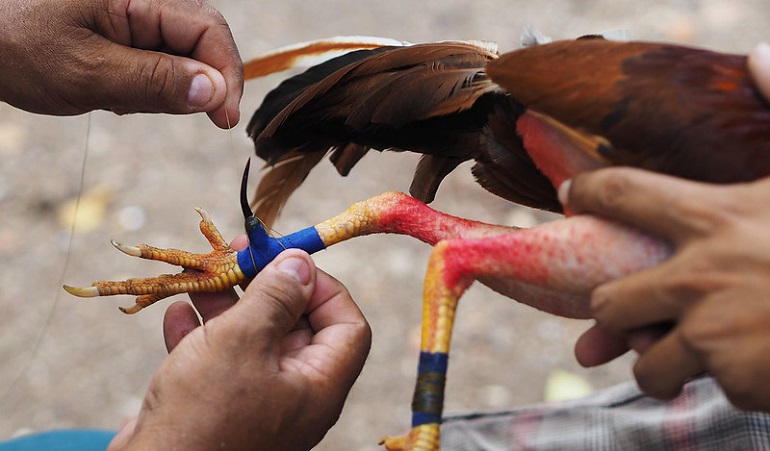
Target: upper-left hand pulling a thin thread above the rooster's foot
<point x="68" y="57"/>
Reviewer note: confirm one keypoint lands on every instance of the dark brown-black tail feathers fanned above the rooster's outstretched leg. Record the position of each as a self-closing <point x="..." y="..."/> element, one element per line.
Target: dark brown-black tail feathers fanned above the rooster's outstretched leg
<point x="419" y="98"/>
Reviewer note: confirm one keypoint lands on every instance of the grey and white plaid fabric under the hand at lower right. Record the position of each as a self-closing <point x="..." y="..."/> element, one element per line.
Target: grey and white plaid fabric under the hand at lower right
<point x="620" y="418"/>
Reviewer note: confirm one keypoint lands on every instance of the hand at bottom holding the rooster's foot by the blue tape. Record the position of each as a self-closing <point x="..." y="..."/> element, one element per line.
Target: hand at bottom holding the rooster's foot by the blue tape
<point x="270" y="372"/>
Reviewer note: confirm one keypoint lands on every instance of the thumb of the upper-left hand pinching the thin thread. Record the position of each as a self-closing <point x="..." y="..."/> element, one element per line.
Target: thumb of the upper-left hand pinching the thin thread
<point x="134" y="80"/>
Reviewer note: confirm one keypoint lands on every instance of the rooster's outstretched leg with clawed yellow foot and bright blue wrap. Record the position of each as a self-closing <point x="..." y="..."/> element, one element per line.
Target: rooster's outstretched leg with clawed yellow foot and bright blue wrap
<point x="224" y="267"/>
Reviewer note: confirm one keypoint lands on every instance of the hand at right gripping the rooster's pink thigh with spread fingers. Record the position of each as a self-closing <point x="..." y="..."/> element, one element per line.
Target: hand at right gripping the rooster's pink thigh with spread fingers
<point x="710" y="297"/>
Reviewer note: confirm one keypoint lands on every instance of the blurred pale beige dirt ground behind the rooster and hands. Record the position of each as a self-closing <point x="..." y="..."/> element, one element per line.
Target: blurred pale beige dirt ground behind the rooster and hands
<point x="70" y="362"/>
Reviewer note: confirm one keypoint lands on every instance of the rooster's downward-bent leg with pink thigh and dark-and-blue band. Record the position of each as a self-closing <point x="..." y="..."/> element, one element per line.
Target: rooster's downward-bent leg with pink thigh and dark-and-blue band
<point x="543" y="262"/>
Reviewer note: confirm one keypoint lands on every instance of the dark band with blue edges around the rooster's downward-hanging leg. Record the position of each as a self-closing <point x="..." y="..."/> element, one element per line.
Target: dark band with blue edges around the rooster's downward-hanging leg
<point x="428" y="402"/>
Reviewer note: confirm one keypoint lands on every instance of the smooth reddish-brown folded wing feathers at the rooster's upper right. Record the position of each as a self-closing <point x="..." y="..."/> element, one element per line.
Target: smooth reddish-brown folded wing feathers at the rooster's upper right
<point x="683" y="111"/>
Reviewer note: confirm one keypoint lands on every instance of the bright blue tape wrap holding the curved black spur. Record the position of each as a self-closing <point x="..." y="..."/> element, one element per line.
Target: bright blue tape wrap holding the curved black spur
<point x="263" y="248"/>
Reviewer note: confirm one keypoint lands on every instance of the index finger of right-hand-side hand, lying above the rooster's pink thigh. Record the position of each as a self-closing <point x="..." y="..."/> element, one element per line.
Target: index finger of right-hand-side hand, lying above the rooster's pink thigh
<point x="667" y="206"/>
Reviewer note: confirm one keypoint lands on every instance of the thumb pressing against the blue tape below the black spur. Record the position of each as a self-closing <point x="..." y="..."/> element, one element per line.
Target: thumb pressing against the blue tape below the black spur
<point x="278" y="296"/>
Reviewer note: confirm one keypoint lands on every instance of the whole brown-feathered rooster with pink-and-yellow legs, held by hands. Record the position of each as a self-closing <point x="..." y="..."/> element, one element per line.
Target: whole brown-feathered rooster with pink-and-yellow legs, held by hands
<point x="529" y="119"/>
